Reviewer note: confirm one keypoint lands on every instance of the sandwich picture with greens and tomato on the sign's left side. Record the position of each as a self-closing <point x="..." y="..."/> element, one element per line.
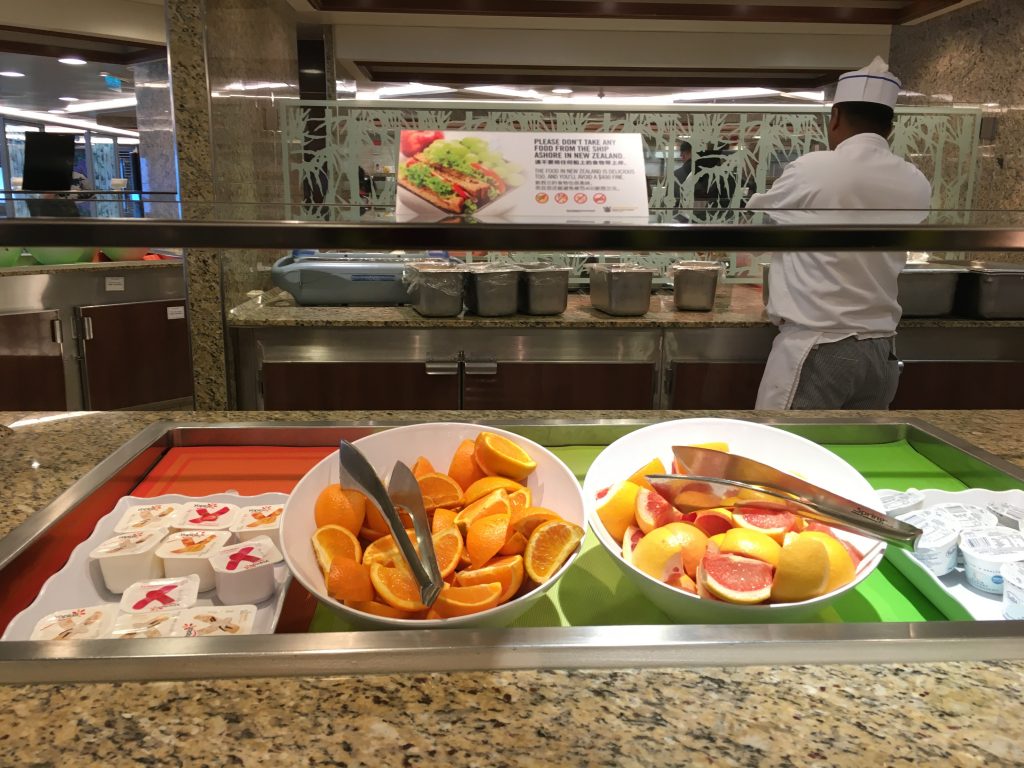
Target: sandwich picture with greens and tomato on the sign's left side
<point x="454" y="173"/>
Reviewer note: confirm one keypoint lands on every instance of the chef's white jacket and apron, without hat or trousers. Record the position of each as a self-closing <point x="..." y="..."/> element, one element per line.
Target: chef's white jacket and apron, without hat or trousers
<point x="820" y="297"/>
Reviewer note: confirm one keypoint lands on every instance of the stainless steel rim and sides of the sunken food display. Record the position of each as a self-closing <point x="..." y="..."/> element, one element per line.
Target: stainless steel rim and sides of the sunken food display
<point x="436" y="651"/>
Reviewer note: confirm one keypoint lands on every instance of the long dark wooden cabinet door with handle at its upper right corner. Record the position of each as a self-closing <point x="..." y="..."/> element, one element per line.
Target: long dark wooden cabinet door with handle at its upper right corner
<point x="360" y="387"/>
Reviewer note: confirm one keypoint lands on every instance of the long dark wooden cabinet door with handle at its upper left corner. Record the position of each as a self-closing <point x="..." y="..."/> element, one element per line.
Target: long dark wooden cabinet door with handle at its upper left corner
<point x="561" y="387"/>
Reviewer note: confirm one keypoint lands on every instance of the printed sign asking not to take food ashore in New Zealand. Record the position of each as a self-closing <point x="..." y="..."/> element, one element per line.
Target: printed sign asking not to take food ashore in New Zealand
<point x="519" y="177"/>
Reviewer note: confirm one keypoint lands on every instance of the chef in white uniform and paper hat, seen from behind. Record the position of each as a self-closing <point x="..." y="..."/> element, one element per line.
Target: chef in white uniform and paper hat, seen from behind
<point x="838" y="313"/>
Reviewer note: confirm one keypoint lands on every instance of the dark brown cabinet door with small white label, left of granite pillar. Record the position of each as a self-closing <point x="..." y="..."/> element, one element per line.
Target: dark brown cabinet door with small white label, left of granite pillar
<point x="136" y="355"/>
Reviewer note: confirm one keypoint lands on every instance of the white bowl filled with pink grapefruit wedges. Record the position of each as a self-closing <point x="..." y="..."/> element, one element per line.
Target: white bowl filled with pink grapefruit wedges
<point x="712" y="556"/>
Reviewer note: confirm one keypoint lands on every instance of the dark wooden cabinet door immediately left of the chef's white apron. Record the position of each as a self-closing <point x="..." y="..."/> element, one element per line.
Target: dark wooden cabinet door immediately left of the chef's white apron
<point x="715" y="386"/>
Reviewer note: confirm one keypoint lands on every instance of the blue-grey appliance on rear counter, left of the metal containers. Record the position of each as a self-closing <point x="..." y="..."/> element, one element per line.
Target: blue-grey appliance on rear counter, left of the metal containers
<point x="340" y="280"/>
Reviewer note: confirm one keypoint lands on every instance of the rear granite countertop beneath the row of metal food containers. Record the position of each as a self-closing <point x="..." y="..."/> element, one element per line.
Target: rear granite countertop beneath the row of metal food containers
<point x="736" y="307"/>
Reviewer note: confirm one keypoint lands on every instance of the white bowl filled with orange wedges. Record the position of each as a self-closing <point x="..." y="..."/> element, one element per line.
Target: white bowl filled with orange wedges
<point x="507" y="518"/>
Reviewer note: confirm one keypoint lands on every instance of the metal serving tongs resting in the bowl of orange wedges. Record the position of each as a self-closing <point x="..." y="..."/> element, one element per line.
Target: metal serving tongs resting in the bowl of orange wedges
<point x="403" y="490"/>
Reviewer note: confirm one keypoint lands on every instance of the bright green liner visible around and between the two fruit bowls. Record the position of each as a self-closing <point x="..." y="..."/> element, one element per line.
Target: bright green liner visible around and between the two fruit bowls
<point x="594" y="591"/>
